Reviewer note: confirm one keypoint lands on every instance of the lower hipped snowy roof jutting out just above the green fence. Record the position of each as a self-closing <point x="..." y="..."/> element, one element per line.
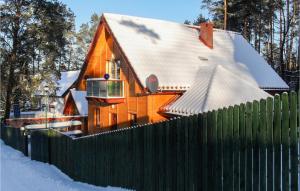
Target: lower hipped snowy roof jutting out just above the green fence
<point x="215" y="87"/>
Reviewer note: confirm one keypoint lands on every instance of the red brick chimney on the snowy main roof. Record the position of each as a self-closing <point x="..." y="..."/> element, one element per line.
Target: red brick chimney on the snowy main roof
<point x="206" y="34"/>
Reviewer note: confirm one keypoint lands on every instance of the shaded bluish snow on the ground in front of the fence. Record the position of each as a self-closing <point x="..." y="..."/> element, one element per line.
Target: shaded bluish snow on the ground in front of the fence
<point x="19" y="173"/>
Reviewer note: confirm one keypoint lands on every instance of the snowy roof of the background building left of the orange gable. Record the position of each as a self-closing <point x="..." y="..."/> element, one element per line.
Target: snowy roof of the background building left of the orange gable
<point x="66" y="81"/>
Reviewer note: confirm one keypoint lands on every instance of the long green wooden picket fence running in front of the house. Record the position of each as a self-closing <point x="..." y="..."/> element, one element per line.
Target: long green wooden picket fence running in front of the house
<point x="253" y="146"/>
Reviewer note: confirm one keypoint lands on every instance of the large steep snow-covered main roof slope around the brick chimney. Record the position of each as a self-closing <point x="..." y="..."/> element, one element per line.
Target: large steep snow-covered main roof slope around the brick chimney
<point x="174" y="53"/>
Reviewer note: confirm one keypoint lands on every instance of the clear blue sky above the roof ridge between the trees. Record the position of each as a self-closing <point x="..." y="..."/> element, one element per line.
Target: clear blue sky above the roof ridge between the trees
<point x="173" y="10"/>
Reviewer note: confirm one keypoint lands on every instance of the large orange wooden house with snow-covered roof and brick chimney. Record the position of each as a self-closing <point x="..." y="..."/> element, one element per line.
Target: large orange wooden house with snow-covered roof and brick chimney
<point x="141" y="70"/>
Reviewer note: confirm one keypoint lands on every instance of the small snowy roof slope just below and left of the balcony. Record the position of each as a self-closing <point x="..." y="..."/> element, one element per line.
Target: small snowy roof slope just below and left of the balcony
<point x="80" y="101"/>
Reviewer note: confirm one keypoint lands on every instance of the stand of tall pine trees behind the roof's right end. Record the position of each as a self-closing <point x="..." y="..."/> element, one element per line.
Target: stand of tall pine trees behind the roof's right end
<point x="271" y="26"/>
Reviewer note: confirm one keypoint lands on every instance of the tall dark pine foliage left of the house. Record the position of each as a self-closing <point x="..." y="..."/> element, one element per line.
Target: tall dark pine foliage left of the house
<point x="32" y="40"/>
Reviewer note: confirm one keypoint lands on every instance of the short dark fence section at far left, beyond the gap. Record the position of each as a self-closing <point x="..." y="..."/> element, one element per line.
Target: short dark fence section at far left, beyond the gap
<point x="14" y="137"/>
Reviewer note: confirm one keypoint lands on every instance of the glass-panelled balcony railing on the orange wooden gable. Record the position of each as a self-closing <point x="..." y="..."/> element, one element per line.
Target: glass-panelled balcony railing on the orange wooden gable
<point x="102" y="88"/>
